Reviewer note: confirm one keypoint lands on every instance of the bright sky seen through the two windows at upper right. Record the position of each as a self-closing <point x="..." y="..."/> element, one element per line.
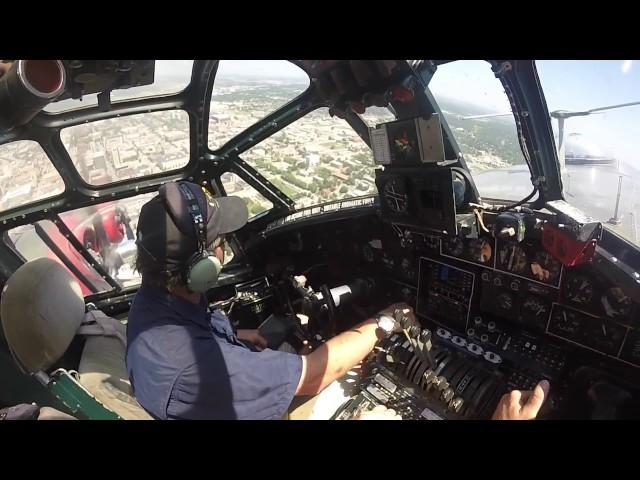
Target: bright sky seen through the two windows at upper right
<point x="573" y="85"/>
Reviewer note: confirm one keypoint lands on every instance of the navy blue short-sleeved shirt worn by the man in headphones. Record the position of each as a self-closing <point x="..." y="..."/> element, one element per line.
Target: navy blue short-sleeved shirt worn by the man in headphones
<point x="187" y="363"/>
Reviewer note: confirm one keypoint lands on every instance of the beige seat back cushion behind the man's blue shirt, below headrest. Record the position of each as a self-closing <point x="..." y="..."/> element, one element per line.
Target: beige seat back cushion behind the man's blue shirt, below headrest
<point x="102" y="371"/>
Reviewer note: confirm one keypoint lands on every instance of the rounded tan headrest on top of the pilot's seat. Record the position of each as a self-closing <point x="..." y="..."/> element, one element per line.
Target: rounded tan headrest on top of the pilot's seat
<point x="41" y="309"/>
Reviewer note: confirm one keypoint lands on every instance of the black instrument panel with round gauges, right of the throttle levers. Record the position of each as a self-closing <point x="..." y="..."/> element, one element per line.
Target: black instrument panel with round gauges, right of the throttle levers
<point x="459" y="279"/>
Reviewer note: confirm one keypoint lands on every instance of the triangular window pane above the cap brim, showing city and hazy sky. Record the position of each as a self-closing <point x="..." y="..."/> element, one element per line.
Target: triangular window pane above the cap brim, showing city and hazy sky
<point x="246" y="91"/>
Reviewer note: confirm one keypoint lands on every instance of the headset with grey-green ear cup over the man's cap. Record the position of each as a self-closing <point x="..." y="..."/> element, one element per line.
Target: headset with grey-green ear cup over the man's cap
<point x="202" y="269"/>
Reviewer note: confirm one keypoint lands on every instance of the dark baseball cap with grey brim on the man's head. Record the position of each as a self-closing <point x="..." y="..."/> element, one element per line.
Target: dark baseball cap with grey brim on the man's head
<point x="166" y="229"/>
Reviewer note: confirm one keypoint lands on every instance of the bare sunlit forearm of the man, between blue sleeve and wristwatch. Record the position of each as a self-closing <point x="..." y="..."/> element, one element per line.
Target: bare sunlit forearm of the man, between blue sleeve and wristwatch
<point x="334" y="358"/>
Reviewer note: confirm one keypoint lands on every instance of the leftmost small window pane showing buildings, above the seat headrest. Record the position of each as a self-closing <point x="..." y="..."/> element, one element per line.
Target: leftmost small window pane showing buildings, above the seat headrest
<point x="26" y="174"/>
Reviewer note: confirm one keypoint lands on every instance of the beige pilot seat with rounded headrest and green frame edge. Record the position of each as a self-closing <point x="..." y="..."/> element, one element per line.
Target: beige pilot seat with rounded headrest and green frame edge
<point x="43" y="311"/>
